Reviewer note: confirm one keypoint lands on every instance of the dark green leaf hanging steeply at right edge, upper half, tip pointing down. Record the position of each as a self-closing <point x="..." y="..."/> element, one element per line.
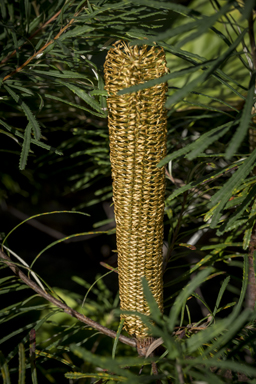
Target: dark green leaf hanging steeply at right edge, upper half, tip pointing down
<point x="241" y="131"/>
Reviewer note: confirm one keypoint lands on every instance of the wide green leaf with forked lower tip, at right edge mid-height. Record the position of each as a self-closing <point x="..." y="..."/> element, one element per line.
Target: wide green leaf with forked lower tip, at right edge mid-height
<point x="223" y="195"/>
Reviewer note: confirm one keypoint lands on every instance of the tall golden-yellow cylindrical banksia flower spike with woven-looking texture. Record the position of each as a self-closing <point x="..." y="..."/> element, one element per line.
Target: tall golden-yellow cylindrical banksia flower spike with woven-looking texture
<point x="137" y="128"/>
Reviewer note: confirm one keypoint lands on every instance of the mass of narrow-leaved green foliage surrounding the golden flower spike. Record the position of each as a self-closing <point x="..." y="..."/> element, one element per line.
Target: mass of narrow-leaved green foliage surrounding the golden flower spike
<point x="54" y="119"/>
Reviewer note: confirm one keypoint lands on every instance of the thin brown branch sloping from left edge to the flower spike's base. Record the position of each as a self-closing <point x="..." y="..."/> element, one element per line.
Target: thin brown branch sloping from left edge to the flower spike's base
<point x="64" y="307"/>
